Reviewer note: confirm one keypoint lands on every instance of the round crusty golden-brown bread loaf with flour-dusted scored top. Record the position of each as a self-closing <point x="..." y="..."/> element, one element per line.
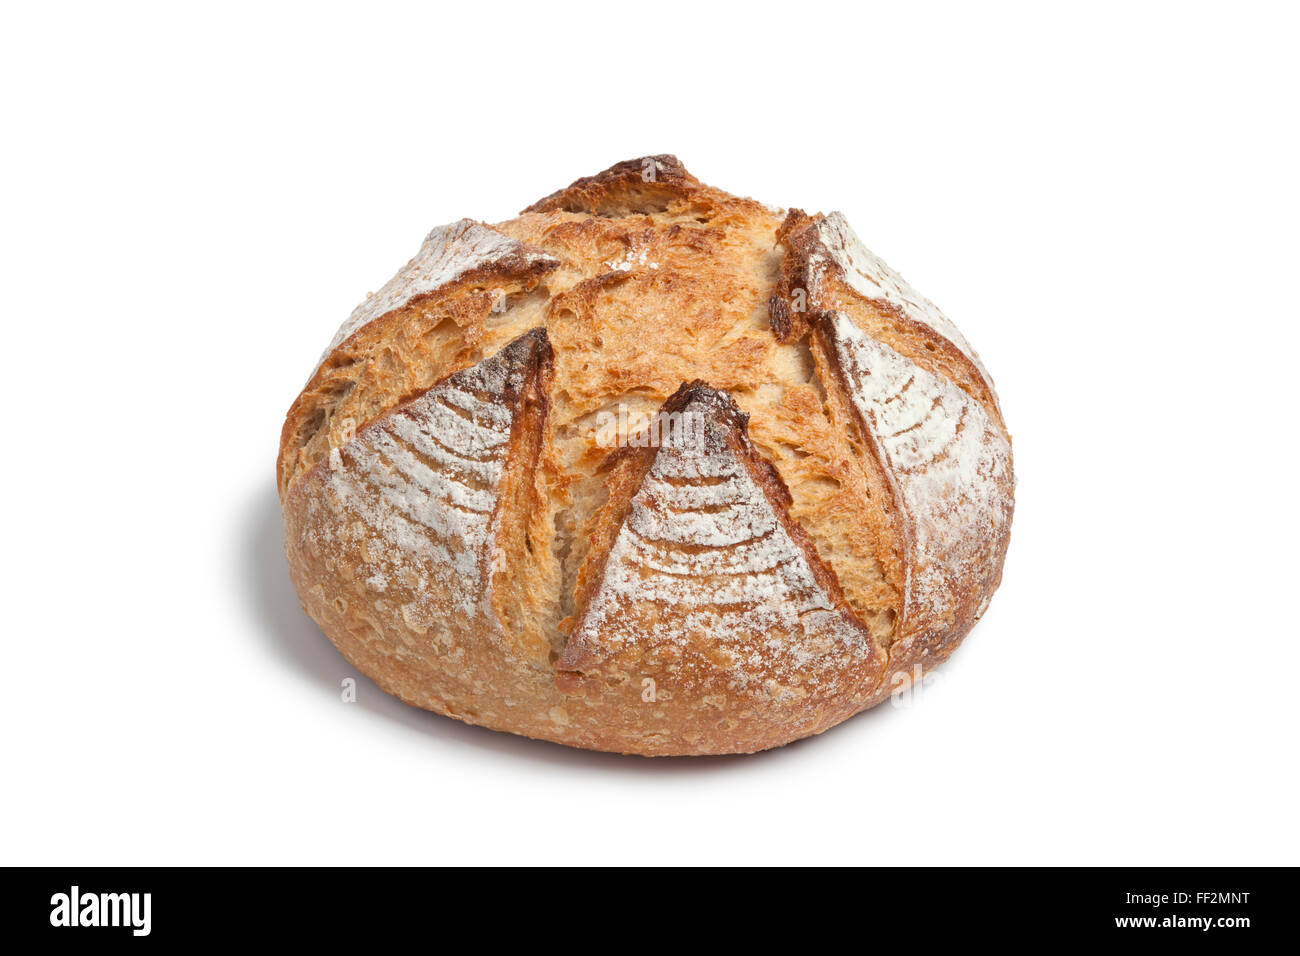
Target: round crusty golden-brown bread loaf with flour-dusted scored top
<point x="651" y="469"/>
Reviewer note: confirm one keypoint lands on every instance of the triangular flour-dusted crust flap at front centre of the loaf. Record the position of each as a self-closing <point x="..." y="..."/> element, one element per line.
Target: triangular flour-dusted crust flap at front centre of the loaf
<point x="704" y="574"/>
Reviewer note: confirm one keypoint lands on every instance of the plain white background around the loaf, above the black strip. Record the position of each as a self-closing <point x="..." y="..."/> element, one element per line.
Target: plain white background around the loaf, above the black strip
<point x="1104" y="201"/>
